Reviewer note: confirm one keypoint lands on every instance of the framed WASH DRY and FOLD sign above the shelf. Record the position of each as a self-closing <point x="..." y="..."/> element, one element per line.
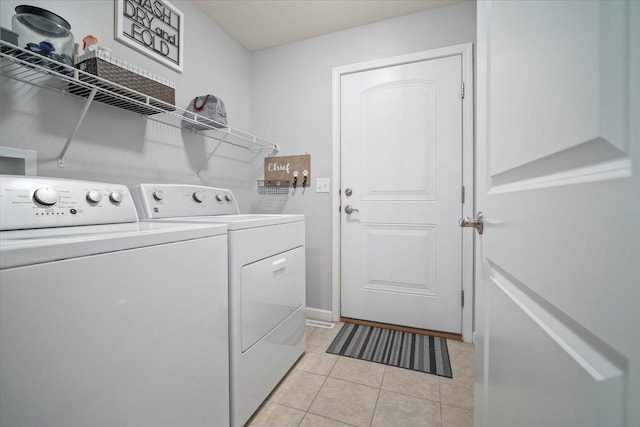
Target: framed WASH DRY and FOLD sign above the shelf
<point x="154" y="27"/>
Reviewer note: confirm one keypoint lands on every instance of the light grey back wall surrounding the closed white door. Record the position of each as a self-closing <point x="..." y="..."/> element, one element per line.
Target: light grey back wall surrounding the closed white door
<point x="291" y="105"/>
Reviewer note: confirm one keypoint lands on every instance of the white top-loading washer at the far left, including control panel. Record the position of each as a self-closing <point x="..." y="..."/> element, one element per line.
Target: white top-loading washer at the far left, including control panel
<point x="117" y="323"/>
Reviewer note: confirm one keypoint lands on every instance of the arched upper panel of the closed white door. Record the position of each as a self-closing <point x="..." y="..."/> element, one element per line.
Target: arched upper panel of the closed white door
<point x="406" y="169"/>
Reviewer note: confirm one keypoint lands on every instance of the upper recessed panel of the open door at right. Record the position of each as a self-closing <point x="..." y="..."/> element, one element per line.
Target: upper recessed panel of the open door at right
<point x="579" y="80"/>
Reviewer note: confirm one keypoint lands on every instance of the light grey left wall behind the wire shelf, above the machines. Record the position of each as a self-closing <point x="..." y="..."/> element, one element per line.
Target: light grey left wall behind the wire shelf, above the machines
<point x="119" y="146"/>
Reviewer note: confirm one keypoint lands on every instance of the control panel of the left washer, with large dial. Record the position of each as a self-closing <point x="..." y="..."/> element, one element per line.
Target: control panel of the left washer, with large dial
<point x="37" y="202"/>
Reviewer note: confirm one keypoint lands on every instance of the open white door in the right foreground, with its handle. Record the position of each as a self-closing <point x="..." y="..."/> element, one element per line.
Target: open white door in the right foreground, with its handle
<point x="557" y="332"/>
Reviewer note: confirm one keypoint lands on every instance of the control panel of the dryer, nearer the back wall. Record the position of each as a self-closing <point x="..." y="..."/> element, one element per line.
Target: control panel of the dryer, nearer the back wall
<point x="155" y="201"/>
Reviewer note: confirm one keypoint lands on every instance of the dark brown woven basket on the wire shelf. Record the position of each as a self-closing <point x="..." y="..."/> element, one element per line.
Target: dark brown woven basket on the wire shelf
<point x="128" y="79"/>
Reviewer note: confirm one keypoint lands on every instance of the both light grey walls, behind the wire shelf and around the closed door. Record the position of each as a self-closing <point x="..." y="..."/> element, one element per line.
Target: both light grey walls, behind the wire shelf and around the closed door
<point x="282" y="94"/>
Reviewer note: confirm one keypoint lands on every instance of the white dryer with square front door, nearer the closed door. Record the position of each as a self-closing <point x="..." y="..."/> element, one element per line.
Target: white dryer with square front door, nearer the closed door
<point x="266" y="284"/>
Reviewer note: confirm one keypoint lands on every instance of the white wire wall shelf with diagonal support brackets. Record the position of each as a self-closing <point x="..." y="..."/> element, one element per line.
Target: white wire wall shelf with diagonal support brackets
<point x="37" y="70"/>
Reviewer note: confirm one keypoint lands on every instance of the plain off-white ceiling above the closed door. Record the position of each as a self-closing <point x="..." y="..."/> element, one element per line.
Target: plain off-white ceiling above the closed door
<point x="258" y="24"/>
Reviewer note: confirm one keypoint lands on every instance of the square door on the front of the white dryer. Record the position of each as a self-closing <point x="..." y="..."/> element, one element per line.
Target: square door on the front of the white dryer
<point x="271" y="289"/>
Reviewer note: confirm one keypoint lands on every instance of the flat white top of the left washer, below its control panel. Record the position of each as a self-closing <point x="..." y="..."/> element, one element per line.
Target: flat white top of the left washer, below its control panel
<point x="27" y="247"/>
